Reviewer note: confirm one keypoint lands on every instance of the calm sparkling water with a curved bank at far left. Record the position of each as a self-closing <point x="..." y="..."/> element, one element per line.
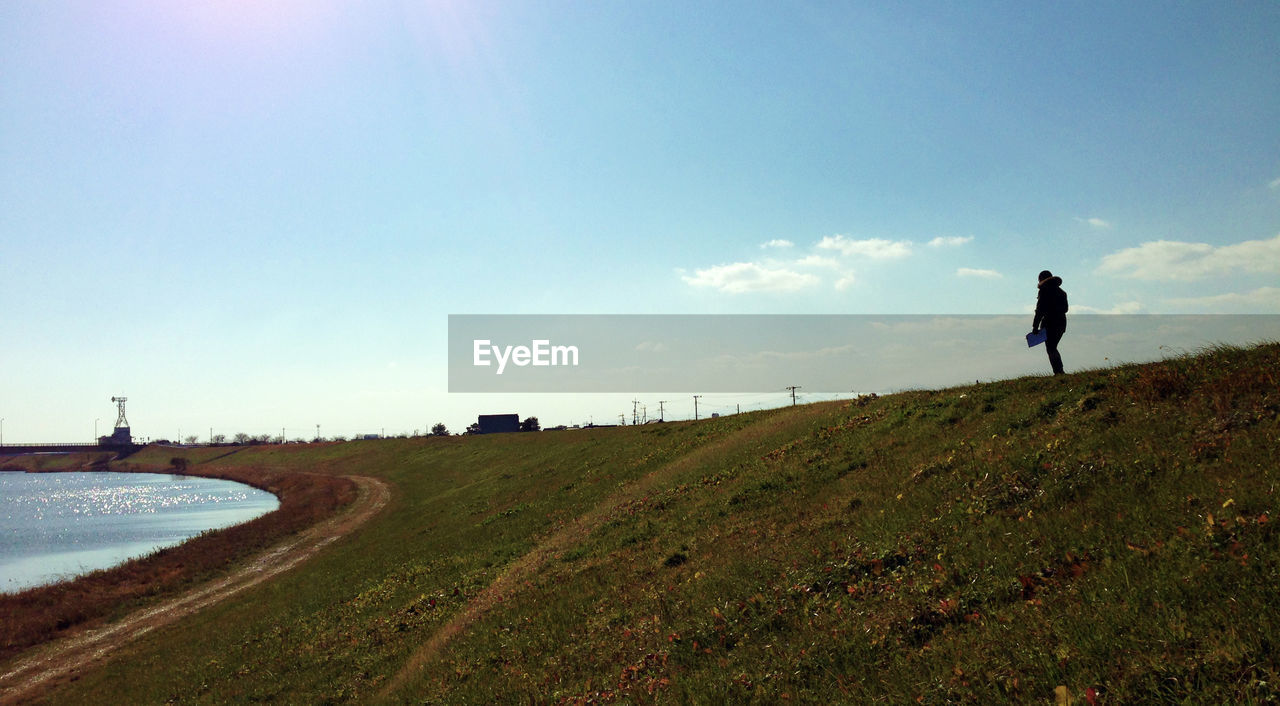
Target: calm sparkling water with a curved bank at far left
<point x="56" y="526"/>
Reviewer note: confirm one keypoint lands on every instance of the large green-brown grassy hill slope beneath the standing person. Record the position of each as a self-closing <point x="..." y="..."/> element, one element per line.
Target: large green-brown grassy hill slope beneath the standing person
<point x="1109" y="533"/>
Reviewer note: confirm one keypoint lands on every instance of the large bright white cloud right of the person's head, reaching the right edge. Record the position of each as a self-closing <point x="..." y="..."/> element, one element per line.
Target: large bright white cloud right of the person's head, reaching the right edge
<point x="1176" y="260"/>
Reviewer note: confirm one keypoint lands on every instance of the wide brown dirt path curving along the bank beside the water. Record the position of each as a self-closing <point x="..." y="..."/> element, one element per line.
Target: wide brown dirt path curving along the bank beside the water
<point x="62" y="661"/>
